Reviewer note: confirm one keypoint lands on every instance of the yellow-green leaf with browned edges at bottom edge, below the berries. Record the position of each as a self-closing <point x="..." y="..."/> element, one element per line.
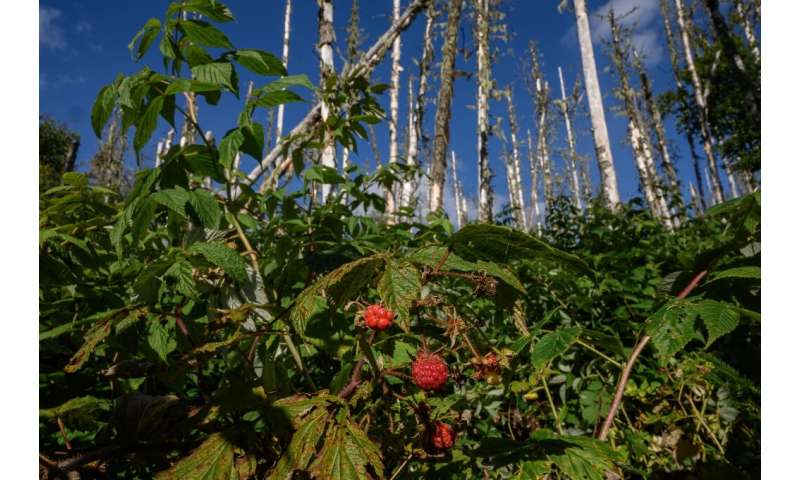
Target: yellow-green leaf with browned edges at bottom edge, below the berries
<point x="346" y="454"/>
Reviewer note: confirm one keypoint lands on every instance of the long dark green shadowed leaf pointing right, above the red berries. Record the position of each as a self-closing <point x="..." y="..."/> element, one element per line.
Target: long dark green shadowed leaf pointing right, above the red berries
<point x="502" y="244"/>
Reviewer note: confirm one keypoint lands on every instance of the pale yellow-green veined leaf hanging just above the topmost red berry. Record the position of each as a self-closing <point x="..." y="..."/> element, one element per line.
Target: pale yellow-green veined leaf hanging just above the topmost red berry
<point x="398" y="287"/>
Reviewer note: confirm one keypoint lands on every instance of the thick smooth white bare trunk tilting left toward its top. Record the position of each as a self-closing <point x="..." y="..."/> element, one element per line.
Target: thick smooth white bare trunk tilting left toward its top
<point x="605" y="161"/>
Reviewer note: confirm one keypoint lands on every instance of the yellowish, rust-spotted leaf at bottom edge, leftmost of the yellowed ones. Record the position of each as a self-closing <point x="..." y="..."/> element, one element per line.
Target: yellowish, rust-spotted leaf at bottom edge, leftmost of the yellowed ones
<point x="212" y="460"/>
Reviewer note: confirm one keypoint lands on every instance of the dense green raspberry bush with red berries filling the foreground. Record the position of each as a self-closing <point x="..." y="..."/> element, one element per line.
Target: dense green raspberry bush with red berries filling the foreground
<point x="227" y="332"/>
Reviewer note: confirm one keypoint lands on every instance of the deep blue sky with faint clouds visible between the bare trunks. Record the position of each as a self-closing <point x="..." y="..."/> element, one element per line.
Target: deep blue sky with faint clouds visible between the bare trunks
<point x="83" y="46"/>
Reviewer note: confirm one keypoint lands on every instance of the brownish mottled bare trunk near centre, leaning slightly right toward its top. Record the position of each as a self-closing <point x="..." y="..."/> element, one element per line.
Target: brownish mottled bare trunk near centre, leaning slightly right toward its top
<point x="441" y="137"/>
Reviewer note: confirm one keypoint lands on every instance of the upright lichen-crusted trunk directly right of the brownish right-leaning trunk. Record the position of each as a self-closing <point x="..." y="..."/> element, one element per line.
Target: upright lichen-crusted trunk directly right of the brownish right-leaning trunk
<point x="485" y="211"/>
